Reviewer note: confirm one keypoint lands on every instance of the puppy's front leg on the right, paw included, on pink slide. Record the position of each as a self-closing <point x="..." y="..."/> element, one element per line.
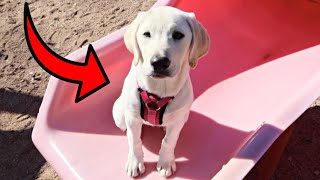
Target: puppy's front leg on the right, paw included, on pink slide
<point x="166" y="164"/>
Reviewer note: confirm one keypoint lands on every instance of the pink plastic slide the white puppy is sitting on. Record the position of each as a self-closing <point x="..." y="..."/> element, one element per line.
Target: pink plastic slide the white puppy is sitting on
<point x="261" y="73"/>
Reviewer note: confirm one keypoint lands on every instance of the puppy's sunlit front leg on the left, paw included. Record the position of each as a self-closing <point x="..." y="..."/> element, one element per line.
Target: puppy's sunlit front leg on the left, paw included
<point x="134" y="165"/>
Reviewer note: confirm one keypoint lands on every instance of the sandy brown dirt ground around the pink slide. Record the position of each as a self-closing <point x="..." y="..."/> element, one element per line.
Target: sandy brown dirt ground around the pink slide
<point x="66" y="26"/>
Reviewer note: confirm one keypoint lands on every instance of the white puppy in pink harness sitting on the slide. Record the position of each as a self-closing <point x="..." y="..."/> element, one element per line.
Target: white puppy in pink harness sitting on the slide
<point x="165" y="43"/>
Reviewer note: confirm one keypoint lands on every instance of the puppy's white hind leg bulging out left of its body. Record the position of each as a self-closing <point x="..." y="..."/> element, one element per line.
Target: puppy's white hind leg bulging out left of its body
<point x="118" y="114"/>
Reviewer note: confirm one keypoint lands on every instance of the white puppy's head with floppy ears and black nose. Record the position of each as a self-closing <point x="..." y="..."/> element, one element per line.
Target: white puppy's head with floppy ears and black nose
<point x="164" y="39"/>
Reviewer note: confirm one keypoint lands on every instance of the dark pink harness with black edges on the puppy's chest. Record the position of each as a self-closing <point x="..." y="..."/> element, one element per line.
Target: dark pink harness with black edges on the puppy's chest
<point x="152" y="107"/>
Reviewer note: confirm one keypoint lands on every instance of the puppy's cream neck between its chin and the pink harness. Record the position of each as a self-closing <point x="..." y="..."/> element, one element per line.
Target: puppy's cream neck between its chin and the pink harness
<point x="163" y="87"/>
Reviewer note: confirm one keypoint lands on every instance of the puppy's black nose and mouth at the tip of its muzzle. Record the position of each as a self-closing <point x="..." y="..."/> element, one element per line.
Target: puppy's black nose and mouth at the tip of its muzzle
<point x="160" y="66"/>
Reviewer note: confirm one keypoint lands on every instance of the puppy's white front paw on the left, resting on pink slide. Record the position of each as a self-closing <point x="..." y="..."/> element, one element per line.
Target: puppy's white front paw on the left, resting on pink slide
<point x="134" y="167"/>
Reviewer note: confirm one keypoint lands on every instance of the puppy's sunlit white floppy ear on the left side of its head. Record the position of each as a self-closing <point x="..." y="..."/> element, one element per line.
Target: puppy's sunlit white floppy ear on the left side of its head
<point x="130" y="38"/>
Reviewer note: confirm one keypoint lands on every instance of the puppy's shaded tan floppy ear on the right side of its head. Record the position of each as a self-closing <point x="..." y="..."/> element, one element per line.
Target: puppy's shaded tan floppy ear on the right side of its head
<point x="200" y="40"/>
